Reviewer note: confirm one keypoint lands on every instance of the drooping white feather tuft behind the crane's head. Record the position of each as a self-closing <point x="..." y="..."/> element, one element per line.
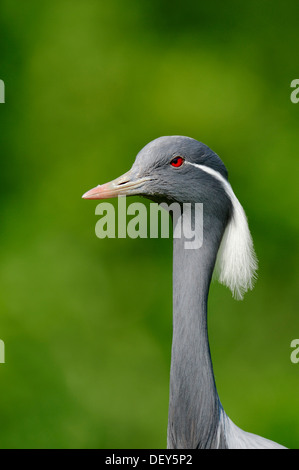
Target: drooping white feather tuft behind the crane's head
<point x="236" y="263"/>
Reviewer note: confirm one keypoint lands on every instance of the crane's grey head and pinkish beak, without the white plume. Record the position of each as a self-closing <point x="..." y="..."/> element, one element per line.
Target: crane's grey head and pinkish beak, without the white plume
<point x="153" y="175"/>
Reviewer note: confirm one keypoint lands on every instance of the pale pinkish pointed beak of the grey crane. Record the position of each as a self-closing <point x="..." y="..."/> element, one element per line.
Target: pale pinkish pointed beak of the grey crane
<point x="125" y="185"/>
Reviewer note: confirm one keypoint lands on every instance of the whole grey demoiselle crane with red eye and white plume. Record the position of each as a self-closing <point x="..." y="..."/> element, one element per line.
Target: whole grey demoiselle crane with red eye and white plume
<point x="181" y="169"/>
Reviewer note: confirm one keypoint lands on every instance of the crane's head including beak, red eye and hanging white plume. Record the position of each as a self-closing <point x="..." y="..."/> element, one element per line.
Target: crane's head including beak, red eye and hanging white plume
<point x="181" y="169"/>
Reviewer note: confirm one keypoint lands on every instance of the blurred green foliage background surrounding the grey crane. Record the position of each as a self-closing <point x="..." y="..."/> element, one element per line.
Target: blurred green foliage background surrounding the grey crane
<point x="87" y="322"/>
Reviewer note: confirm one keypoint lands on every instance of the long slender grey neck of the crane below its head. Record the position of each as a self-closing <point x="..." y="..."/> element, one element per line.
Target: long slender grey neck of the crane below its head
<point x="194" y="406"/>
